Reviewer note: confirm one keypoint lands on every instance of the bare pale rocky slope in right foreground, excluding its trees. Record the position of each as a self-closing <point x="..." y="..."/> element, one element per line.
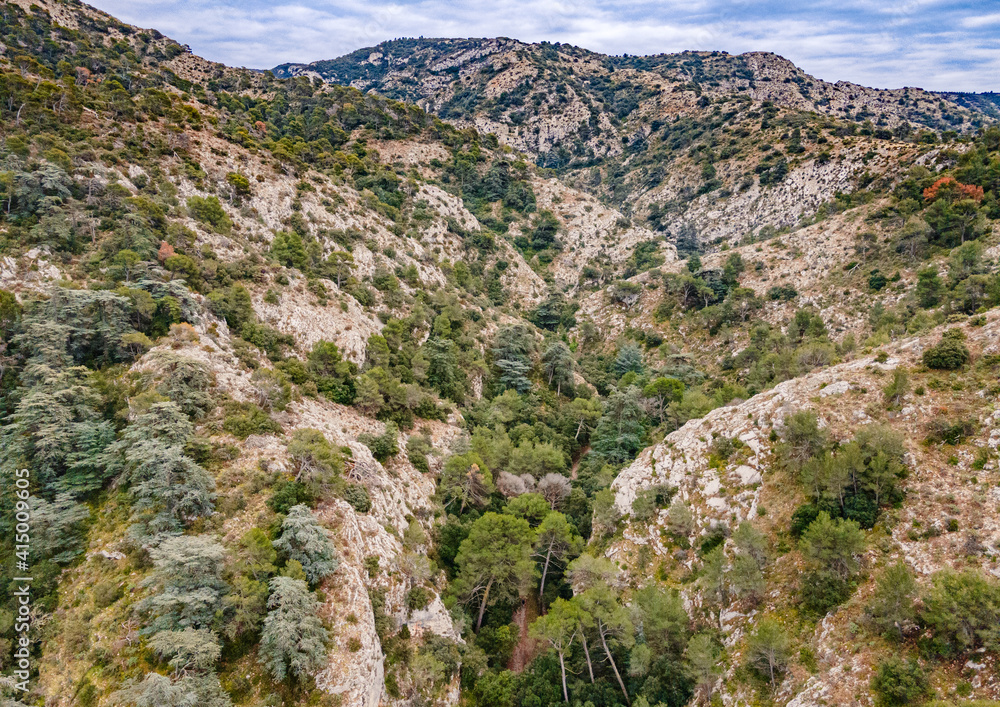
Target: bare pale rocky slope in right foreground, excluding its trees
<point x="947" y="514"/>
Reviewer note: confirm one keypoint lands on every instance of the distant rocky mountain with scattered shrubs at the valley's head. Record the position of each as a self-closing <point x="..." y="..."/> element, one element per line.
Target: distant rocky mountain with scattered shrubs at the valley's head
<point x="700" y="146"/>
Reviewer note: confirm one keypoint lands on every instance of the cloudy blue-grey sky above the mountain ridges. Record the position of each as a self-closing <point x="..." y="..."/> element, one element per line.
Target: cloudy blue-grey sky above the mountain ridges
<point x="943" y="45"/>
